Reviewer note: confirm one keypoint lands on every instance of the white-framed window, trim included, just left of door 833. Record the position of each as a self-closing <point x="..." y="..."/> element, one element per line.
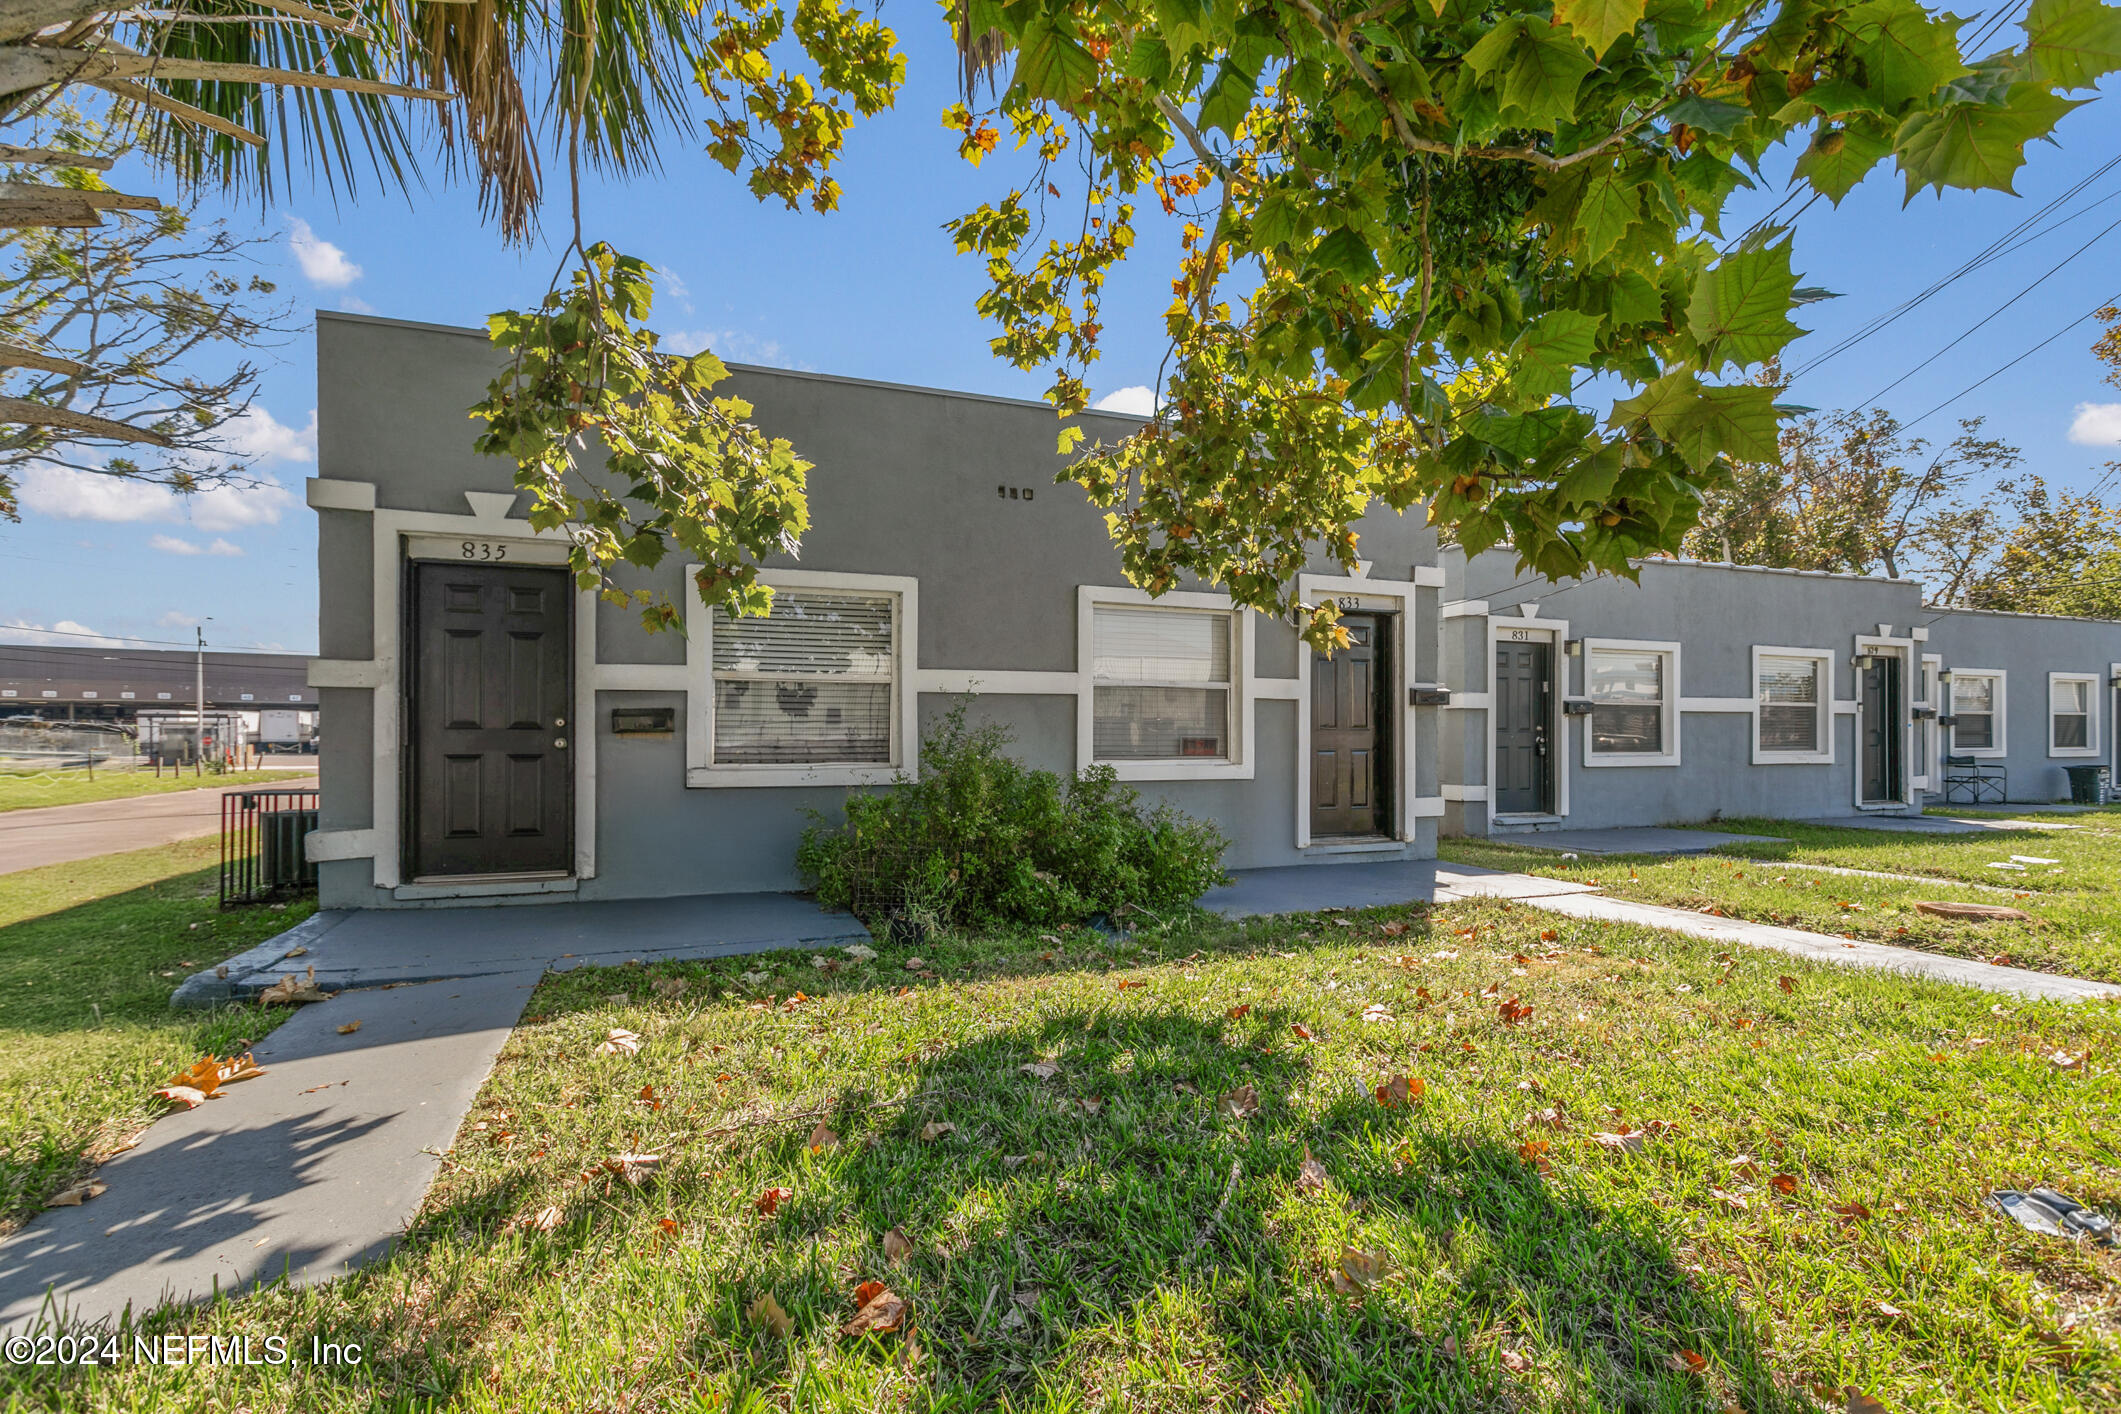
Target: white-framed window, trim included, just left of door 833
<point x="1163" y="692"/>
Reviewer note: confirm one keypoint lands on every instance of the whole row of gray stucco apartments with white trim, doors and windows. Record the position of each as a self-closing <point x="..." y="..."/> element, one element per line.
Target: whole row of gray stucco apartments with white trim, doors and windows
<point x="506" y="739"/>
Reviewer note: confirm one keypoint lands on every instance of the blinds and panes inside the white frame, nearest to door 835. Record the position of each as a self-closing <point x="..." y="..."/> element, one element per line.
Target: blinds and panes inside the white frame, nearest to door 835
<point x="811" y="684"/>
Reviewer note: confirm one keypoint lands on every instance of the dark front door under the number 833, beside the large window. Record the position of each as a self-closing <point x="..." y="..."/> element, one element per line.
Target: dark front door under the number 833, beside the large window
<point x="1350" y="735"/>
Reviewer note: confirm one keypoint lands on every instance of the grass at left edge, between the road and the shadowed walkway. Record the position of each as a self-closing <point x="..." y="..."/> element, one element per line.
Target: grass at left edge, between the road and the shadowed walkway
<point x="88" y="959"/>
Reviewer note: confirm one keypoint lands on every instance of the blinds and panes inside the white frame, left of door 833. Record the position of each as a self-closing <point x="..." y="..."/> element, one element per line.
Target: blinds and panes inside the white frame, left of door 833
<point x="1161" y="686"/>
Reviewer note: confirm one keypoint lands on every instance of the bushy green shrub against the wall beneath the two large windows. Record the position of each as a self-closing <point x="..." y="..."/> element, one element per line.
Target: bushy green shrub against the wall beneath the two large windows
<point x="983" y="841"/>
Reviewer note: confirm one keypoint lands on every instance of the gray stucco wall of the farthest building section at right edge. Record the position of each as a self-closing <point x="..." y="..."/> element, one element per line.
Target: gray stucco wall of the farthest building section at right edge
<point x="2027" y="650"/>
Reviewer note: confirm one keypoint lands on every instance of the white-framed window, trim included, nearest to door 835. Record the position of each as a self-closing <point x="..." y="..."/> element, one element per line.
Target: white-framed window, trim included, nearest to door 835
<point x="807" y="694"/>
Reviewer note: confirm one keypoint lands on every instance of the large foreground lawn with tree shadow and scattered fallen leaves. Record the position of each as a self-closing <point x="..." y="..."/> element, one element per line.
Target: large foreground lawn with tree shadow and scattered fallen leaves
<point x="1030" y="1146"/>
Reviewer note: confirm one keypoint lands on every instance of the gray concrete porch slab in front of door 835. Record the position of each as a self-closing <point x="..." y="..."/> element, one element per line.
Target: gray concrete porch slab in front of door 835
<point x="379" y="947"/>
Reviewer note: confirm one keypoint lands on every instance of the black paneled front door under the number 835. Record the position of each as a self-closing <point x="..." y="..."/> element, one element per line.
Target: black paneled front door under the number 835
<point x="491" y="777"/>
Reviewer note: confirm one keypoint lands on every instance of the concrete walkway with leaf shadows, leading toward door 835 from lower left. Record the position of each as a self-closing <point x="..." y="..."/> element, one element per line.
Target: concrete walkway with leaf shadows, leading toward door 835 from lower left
<point x="300" y="1176"/>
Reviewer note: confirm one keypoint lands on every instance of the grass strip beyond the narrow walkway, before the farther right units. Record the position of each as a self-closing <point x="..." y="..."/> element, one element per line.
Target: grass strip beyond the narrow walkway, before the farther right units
<point x="2075" y="906"/>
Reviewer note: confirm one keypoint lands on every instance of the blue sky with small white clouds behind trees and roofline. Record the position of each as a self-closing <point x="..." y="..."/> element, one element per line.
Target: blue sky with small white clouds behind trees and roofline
<point x="877" y="291"/>
